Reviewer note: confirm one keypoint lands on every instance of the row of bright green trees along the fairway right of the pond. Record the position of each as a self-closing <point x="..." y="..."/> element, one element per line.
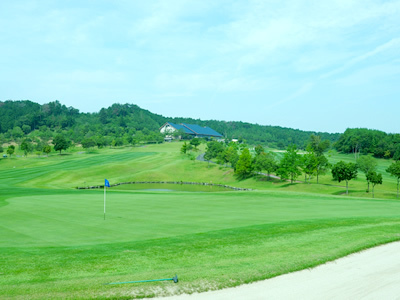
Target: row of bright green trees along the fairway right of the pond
<point x="291" y="165"/>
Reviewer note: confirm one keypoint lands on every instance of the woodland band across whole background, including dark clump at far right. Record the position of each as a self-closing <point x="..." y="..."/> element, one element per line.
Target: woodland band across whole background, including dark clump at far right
<point x="128" y="124"/>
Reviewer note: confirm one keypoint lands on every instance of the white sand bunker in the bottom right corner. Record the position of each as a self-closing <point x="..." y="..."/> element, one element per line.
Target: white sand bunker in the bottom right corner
<point x="370" y="274"/>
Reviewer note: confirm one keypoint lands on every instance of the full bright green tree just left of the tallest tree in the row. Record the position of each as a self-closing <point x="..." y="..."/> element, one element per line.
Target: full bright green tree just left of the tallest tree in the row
<point x="289" y="166"/>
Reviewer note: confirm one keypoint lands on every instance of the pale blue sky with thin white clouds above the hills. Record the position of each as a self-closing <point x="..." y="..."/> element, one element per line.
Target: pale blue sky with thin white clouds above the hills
<point x="312" y="65"/>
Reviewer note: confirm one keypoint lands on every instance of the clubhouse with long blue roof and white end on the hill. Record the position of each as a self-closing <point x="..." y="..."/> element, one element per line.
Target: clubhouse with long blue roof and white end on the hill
<point x="190" y="129"/>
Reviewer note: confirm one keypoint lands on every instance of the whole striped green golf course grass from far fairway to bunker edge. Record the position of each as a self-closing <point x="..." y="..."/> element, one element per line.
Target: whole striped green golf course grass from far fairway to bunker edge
<point x="54" y="242"/>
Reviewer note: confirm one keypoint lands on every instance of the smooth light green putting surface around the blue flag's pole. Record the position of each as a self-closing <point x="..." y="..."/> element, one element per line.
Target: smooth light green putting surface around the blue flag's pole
<point x="77" y="218"/>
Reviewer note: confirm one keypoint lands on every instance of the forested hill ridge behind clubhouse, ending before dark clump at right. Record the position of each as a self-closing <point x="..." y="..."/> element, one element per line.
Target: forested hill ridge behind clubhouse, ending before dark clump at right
<point x="129" y="122"/>
